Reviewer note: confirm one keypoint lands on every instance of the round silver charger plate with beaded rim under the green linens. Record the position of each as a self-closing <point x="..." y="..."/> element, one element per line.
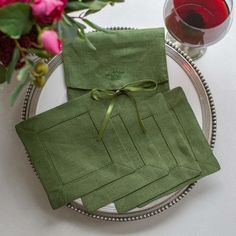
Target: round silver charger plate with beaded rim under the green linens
<point x="182" y="72"/>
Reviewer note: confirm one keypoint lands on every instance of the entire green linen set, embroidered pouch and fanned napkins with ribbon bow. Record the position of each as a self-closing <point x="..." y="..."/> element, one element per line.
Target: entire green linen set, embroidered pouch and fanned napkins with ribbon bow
<point x="123" y="137"/>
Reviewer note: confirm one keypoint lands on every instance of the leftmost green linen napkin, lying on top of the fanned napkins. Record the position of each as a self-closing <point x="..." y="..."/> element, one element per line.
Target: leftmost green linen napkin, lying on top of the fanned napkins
<point x="71" y="162"/>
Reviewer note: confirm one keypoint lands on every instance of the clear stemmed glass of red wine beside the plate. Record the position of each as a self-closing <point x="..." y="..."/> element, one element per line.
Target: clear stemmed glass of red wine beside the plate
<point x="195" y="24"/>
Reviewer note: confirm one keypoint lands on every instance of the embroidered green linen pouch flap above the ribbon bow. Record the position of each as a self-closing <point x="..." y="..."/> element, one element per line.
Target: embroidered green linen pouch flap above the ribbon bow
<point x="121" y="57"/>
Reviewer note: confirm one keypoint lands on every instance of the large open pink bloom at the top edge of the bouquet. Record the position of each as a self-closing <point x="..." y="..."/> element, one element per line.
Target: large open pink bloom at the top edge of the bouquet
<point x="47" y="11"/>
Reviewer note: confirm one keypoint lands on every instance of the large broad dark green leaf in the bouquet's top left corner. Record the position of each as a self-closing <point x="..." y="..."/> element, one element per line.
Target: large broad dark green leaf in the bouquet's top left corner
<point x="15" y="19"/>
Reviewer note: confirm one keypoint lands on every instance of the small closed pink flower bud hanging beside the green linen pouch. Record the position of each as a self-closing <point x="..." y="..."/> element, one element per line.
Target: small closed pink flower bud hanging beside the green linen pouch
<point x="51" y="42"/>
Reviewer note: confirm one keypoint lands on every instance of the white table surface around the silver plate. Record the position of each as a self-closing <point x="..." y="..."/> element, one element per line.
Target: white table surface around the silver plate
<point x="210" y="208"/>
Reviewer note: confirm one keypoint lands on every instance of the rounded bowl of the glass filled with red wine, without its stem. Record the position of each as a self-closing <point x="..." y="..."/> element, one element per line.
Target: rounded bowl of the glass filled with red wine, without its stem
<point x="198" y="22"/>
